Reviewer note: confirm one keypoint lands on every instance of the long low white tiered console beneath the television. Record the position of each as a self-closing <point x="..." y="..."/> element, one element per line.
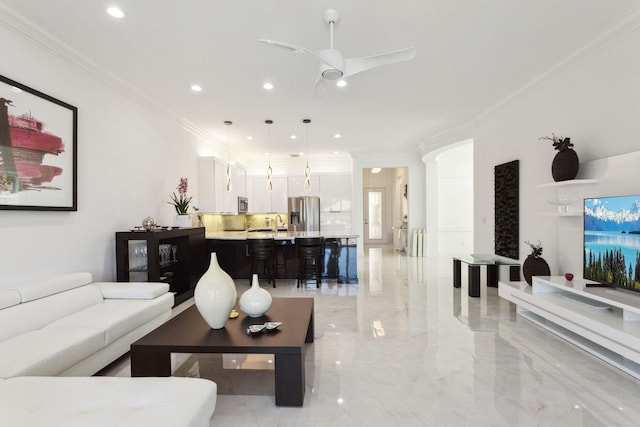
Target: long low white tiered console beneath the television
<point x="603" y="321"/>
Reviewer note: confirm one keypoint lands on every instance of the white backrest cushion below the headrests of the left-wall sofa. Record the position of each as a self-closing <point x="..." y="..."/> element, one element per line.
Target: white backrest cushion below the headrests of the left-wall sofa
<point x="37" y="314"/>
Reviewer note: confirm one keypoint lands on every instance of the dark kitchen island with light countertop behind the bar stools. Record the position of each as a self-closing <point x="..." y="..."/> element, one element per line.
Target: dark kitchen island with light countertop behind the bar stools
<point x="339" y="261"/>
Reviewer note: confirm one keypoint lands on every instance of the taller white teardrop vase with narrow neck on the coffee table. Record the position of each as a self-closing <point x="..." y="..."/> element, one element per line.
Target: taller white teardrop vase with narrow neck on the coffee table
<point x="215" y="295"/>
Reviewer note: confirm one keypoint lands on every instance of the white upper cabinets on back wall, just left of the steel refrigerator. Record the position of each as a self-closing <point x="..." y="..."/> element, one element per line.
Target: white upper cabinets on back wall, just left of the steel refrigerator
<point x="263" y="201"/>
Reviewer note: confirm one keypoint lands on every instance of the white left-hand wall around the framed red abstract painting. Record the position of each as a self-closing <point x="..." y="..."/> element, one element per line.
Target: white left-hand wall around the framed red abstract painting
<point x="130" y="159"/>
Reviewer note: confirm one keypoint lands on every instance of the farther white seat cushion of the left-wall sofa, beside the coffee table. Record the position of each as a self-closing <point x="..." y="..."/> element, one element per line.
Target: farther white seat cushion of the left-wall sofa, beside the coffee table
<point x="116" y="317"/>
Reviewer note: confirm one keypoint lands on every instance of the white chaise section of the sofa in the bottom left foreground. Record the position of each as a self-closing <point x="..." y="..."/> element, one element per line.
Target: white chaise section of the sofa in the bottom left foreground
<point x="107" y="401"/>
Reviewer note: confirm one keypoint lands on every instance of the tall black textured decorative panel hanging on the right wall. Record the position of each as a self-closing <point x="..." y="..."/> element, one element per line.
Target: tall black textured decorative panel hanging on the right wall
<point x="506" y="208"/>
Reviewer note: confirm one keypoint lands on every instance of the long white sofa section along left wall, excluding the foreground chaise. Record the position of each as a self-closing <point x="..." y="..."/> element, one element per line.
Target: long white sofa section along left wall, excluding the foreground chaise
<point x="67" y="325"/>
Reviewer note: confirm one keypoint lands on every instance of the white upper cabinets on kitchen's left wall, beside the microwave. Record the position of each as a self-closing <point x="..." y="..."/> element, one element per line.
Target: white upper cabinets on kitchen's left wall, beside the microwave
<point x="214" y="197"/>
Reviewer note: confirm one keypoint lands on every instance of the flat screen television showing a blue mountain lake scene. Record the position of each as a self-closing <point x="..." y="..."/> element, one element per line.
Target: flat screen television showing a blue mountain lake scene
<point x="611" y="237"/>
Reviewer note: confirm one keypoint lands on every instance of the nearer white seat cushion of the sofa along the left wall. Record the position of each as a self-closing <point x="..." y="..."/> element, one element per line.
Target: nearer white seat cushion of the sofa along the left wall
<point x="47" y="351"/>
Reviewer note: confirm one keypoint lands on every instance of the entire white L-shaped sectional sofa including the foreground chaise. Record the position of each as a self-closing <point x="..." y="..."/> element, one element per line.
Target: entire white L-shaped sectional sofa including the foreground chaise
<point x="56" y="332"/>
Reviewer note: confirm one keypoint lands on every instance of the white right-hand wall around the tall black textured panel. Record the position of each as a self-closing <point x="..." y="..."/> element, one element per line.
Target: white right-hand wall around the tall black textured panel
<point x="593" y="97"/>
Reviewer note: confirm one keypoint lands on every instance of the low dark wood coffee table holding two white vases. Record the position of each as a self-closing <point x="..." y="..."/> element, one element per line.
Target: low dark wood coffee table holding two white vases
<point x="189" y="333"/>
